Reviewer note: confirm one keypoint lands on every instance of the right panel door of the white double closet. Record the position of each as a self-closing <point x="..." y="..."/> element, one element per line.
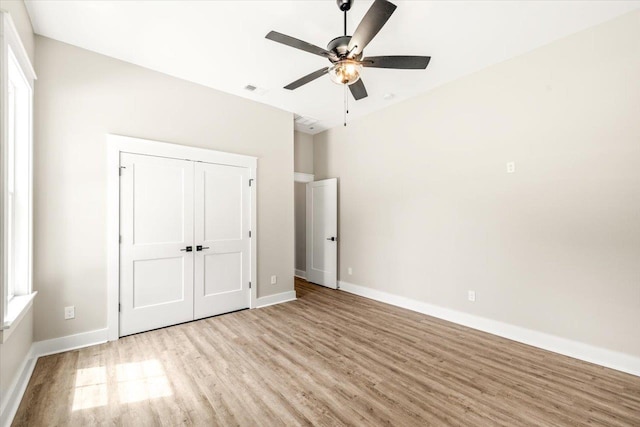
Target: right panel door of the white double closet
<point x="222" y="221"/>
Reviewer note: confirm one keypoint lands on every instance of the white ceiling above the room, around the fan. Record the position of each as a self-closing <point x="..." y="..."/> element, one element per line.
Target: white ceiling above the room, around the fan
<point x="221" y="44"/>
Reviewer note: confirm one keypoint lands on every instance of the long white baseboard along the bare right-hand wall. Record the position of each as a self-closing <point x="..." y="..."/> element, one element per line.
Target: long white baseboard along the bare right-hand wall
<point x="600" y="356"/>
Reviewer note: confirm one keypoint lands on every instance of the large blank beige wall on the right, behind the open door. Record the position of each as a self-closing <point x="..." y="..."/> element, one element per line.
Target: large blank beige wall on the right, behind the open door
<point x="427" y="210"/>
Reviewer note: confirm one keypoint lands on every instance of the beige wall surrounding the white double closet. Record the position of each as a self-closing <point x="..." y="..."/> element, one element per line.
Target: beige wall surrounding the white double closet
<point x="82" y="96"/>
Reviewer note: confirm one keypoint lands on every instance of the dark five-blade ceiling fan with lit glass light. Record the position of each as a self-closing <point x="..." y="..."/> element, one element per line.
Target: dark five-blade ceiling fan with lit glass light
<point x="346" y="52"/>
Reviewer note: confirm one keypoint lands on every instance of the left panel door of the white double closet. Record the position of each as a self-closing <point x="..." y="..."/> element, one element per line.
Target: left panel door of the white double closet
<point x="156" y="226"/>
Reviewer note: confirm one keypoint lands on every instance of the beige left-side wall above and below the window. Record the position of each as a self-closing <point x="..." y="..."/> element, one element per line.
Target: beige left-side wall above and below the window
<point x="16" y="349"/>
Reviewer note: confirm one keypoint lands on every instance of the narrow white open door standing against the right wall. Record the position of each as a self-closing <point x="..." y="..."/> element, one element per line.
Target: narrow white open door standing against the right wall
<point x="322" y="232"/>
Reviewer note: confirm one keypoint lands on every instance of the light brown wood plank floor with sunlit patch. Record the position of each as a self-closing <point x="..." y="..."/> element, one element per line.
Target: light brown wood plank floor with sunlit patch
<point x="329" y="358"/>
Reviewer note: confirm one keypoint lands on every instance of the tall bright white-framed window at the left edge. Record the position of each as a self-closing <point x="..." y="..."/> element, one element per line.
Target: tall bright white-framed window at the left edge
<point x="17" y="95"/>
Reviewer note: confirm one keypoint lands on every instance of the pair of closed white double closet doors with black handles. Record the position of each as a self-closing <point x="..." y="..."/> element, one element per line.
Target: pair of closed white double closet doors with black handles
<point x="185" y="241"/>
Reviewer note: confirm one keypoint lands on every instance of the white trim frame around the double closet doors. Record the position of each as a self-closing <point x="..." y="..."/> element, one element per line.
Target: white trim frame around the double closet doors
<point x="117" y="144"/>
